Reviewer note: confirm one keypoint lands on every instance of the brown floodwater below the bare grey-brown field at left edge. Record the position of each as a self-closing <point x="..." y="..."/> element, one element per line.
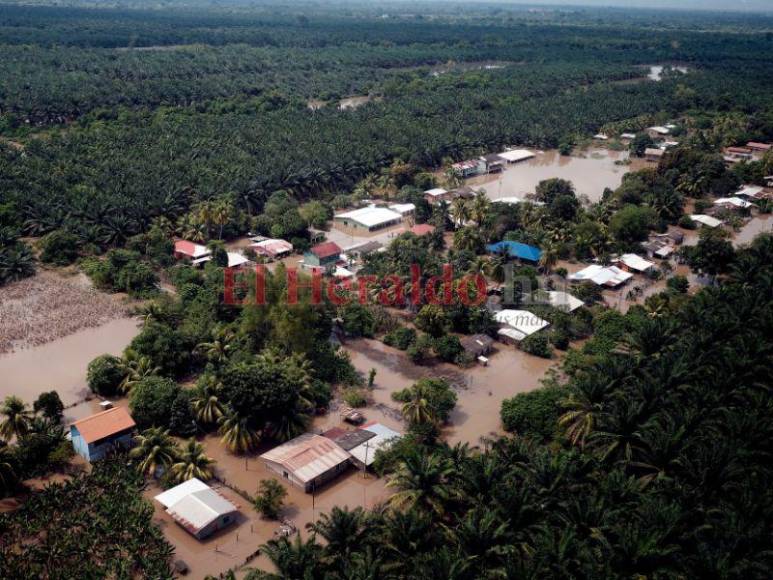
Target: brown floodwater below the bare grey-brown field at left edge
<point x="61" y="364"/>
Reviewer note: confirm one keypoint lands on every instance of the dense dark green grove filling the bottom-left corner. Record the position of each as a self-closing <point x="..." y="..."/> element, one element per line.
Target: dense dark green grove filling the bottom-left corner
<point x="119" y="536"/>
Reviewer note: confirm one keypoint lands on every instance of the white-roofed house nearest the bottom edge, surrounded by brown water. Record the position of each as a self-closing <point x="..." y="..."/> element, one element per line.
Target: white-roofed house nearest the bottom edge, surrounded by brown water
<point x="198" y="508"/>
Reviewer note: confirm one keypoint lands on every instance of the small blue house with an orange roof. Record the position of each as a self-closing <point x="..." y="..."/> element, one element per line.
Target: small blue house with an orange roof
<point x="96" y="436"/>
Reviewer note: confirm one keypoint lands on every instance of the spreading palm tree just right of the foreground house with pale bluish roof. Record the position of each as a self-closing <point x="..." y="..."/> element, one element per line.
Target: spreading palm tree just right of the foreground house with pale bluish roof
<point x="423" y="482"/>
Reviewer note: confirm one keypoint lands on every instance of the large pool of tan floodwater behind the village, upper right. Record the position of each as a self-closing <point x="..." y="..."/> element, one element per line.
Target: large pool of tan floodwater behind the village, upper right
<point x="590" y="172"/>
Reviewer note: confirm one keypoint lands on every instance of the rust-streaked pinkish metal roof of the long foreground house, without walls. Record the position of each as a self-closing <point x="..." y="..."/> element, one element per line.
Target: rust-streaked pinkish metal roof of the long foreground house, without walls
<point x="307" y="456"/>
